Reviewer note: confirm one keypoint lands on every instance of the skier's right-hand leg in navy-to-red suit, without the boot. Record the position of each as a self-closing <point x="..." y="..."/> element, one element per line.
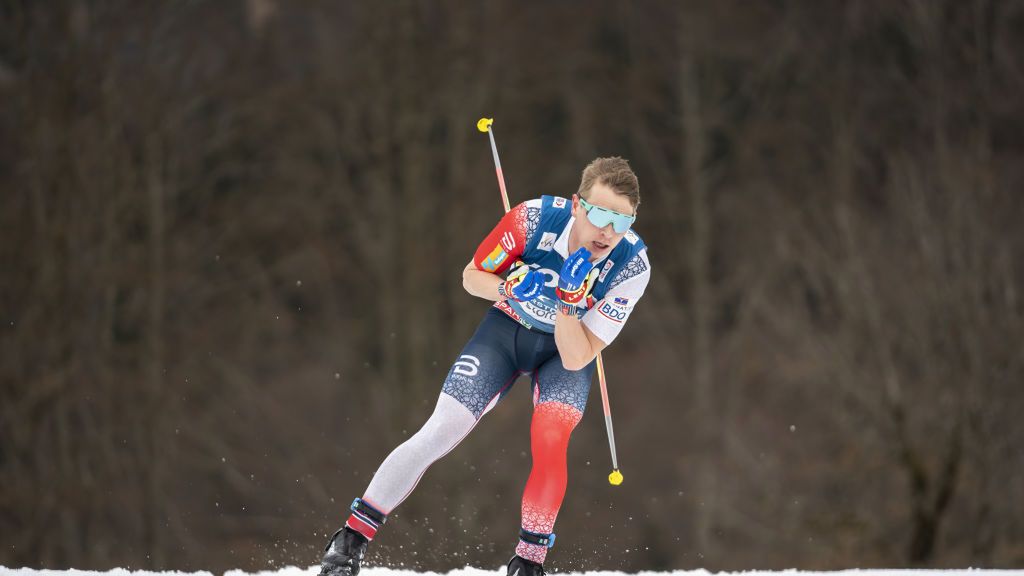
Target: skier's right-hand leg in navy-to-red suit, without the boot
<point x="560" y="399"/>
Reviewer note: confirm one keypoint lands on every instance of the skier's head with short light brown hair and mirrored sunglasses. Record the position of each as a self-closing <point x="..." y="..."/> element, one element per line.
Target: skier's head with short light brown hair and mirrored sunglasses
<point x="608" y="184"/>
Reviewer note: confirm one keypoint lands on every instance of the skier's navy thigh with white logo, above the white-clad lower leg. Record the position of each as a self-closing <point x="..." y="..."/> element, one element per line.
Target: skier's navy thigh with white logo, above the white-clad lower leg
<point x="486" y="368"/>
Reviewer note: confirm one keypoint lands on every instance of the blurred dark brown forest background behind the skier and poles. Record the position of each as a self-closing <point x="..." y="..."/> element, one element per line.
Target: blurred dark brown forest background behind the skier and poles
<point x="233" y="235"/>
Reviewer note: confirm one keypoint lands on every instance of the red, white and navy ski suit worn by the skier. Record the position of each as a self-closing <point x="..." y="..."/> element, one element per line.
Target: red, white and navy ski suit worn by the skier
<point x="515" y="340"/>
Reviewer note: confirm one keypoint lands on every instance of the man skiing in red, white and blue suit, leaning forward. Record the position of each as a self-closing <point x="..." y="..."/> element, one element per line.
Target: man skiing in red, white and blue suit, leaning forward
<point x="576" y="271"/>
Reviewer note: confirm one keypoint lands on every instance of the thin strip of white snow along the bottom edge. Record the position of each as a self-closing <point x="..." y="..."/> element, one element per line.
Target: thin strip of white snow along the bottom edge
<point x="292" y="571"/>
